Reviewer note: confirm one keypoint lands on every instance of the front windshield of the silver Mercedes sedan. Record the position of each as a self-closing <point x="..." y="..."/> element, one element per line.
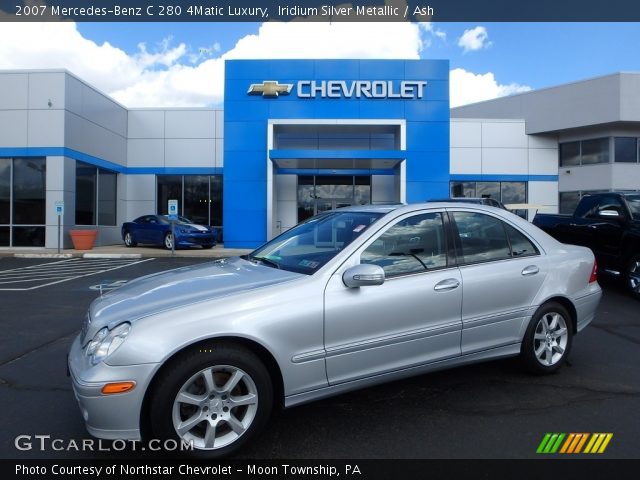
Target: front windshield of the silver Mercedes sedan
<point x="310" y="245"/>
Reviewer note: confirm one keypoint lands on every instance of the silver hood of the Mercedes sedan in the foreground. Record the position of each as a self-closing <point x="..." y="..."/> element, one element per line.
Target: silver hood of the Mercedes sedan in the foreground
<point x="147" y="295"/>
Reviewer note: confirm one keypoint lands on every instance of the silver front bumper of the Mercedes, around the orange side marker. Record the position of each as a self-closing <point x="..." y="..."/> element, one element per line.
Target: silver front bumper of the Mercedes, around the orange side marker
<point x="114" y="416"/>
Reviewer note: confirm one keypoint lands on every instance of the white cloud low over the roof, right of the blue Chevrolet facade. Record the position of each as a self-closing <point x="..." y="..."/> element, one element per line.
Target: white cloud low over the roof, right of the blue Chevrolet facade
<point x="468" y="87"/>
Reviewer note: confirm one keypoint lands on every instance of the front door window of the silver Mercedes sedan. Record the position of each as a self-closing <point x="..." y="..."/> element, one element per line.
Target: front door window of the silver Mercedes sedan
<point x="413" y="245"/>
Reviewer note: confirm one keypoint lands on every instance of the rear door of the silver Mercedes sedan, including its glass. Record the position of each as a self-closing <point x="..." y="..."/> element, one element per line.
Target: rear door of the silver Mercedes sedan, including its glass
<point x="502" y="270"/>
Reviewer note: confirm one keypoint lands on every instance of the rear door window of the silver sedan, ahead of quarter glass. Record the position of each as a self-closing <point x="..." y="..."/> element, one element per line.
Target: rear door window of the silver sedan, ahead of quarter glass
<point x="482" y="237"/>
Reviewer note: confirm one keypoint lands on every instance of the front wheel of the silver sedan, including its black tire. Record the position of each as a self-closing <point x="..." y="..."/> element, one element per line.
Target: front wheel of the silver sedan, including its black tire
<point x="187" y="375"/>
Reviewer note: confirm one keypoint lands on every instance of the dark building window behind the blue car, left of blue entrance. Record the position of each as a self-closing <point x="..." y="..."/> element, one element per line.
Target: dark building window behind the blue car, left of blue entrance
<point x="199" y="197"/>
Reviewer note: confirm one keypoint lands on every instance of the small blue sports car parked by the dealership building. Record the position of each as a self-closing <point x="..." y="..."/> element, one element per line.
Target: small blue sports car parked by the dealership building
<point x="156" y="229"/>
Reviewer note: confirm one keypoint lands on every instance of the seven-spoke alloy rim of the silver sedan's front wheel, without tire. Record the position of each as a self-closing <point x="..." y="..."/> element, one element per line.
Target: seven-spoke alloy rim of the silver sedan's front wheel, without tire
<point x="215" y="407"/>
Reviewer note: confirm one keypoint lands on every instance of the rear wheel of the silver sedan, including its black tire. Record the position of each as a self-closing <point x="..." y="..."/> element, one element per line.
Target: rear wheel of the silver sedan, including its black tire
<point x="542" y="353"/>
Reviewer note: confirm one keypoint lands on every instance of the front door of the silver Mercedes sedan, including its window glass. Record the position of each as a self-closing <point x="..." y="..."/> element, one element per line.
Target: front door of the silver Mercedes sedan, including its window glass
<point x="411" y="319"/>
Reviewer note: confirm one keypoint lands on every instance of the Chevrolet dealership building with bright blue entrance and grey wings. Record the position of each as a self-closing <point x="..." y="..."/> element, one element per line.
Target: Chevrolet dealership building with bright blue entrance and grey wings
<point x="298" y="137"/>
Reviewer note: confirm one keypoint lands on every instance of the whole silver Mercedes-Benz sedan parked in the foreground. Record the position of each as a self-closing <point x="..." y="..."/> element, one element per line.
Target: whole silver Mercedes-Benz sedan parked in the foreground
<point x="347" y="299"/>
